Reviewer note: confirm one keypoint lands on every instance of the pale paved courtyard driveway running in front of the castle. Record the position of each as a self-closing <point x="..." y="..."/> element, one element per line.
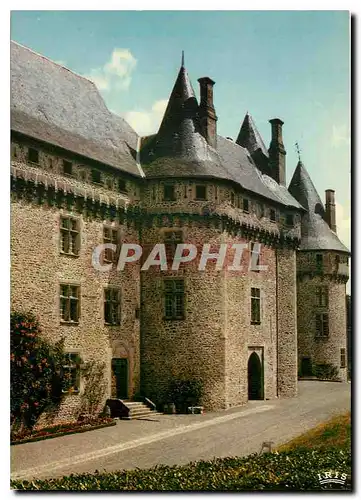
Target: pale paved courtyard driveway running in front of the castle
<point x="179" y="439"/>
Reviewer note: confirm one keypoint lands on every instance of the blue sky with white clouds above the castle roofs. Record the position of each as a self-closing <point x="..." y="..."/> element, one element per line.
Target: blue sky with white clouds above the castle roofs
<point x="290" y="64"/>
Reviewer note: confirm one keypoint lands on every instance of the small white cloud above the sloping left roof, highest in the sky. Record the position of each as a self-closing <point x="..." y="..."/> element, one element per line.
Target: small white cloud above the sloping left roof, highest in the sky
<point x="116" y="73"/>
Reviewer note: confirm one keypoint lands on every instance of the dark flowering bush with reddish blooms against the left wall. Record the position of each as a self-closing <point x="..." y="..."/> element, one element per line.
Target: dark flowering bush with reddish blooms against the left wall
<point x="36" y="378"/>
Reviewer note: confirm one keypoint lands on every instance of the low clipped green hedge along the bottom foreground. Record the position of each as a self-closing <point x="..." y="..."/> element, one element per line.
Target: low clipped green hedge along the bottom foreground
<point x="280" y="471"/>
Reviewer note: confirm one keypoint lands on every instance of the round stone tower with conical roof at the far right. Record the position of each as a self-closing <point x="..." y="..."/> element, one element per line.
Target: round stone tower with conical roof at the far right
<point x="322" y="274"/>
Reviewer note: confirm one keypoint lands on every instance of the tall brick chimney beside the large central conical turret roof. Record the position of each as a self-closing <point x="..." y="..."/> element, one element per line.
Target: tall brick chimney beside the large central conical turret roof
<point x="207" y="113"/>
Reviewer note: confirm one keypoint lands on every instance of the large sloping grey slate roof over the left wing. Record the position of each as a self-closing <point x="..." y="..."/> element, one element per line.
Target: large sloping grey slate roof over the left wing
<point x="51" y="103"/>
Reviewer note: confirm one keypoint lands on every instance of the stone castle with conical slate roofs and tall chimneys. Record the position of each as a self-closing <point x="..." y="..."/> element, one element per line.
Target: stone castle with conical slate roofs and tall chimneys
<point x="81" y="177"/>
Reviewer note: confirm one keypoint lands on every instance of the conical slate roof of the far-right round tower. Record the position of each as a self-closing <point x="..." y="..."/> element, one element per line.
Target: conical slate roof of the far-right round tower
<point x="315" y="232"/>
